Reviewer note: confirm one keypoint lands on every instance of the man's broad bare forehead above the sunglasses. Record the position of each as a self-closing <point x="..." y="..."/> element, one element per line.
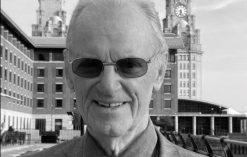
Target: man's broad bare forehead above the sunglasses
<point x="107" y="27"/>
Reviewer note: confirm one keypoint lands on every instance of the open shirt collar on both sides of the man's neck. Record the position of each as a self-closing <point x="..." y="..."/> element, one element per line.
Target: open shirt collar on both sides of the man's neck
<point x="144" y="145"/>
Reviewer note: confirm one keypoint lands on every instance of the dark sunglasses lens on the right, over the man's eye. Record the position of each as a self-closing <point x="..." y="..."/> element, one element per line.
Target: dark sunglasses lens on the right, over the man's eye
<point x="132" y="67"/>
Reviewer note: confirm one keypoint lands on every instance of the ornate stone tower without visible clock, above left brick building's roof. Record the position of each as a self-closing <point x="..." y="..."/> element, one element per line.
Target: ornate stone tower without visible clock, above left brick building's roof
<point x="51" y="19"/>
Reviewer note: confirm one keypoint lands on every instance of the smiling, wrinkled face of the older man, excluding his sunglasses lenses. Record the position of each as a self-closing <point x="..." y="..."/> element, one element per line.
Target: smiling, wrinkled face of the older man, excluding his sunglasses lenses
<point x="109" y="35"/>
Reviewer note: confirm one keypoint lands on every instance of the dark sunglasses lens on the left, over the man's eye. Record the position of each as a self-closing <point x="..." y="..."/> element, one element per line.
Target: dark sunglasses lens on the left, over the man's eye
<point x="86" y="67"/>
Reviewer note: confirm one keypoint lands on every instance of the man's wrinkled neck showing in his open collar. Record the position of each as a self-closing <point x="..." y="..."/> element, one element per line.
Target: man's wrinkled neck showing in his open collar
<point x="113" y="146"/>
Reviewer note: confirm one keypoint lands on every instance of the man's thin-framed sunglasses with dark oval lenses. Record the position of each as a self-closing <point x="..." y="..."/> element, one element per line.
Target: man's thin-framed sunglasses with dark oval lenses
<point x="126" y="67"/>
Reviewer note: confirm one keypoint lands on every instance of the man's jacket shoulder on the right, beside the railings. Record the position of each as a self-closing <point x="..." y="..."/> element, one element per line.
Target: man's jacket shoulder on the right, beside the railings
<point x="169" y="149"/>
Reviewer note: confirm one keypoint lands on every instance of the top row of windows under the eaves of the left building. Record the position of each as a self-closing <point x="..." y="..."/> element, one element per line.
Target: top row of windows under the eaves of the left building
<point x="12" y="39"/>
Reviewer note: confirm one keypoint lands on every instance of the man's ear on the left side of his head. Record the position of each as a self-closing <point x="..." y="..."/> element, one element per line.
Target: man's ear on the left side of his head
<point x="68" y="73"/>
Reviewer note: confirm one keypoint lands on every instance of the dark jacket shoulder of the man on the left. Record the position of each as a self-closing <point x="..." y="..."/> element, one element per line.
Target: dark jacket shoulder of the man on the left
<point x="64" y="149"/>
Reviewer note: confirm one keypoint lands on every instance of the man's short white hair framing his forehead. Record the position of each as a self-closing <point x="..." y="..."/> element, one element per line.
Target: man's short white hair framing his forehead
<point x="145" y="6"/>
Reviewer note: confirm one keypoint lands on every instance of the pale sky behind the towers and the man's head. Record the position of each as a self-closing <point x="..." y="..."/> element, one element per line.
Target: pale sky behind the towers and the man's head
<point x="223" y="26"/>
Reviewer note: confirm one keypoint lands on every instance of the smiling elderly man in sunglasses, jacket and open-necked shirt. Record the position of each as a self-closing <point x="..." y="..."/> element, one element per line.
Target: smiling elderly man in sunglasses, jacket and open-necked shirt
<point x="115" y="58"/>
